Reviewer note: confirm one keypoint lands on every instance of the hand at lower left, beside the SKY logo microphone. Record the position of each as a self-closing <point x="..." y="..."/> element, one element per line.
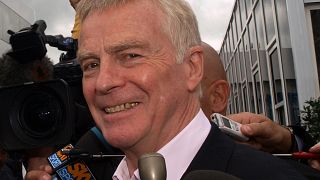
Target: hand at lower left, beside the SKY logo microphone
<point x="38" y="165"/>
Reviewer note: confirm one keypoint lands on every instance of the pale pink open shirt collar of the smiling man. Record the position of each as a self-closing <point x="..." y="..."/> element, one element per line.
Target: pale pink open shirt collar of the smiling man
<point x="179" y="152"/>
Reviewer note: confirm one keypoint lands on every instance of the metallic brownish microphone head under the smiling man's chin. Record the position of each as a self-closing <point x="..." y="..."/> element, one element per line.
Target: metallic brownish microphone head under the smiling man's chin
<point x="152" y="166"/>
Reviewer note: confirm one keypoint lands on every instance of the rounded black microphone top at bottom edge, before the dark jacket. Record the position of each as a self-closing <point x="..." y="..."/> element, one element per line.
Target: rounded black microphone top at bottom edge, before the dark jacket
<point x="209" y="175"/>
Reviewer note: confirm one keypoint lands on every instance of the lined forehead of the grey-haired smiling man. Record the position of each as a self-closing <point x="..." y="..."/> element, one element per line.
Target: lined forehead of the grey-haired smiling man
<point x="130" y="25"/>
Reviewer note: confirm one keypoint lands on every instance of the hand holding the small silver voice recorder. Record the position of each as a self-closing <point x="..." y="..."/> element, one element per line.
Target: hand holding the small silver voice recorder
<point x="264" y="134"/>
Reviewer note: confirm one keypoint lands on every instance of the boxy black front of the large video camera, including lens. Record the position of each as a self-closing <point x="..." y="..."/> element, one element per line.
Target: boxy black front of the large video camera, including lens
<point x="36" y="114"/>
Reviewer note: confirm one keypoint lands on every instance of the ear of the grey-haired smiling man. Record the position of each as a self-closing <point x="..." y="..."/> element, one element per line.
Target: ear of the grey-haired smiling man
<point x="194" y="63"/>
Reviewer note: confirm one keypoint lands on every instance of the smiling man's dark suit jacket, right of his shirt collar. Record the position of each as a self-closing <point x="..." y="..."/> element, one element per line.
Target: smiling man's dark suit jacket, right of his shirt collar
<point x="221" y="153"/>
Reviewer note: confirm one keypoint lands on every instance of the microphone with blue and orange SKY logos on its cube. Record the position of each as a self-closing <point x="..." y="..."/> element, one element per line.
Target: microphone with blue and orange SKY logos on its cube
<point x="90" y="151"/>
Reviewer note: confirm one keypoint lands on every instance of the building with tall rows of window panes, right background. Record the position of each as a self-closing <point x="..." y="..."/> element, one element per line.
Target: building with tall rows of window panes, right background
<point x="271" y="54"/>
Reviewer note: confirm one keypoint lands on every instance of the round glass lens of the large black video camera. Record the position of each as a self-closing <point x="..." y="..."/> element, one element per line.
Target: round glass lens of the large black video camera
<point x="40" y="114"/>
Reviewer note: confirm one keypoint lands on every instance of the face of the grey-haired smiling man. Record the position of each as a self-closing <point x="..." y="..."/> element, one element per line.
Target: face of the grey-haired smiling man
<point x="131" y="82"/>
